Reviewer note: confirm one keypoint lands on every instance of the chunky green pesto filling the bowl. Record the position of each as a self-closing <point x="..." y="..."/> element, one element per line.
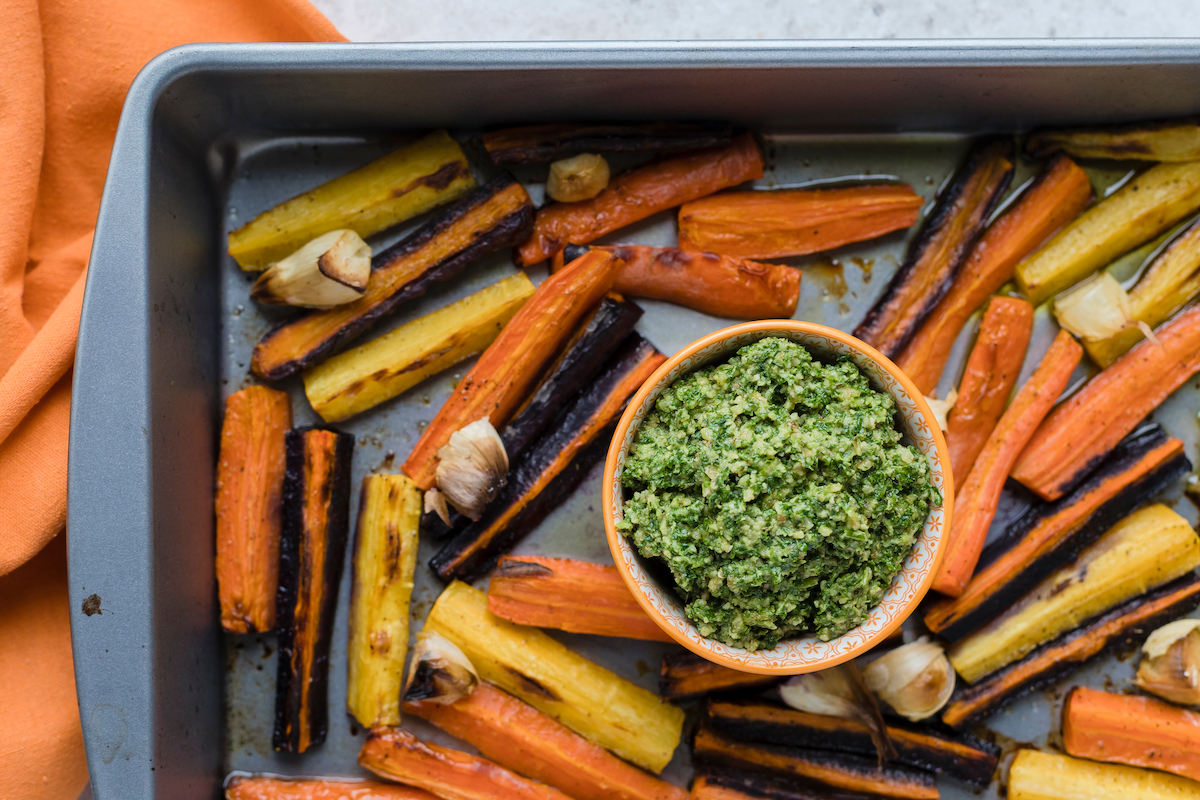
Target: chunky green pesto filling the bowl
<point x="778" y="494"/>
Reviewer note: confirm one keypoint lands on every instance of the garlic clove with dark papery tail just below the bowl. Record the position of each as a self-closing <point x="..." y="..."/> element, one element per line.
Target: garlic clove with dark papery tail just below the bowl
<point x="841" y="693"/>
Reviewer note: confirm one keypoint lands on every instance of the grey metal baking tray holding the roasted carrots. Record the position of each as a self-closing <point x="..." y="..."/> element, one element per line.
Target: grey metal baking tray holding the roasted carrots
<point x="213" y="135"/>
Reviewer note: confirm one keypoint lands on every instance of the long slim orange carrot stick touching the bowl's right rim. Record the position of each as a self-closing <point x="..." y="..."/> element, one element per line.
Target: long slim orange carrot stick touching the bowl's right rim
<point x="976" y="502"/>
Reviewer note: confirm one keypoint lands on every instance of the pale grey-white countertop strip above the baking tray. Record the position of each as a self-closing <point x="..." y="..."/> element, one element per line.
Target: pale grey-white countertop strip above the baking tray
<point x="425" y="21"/>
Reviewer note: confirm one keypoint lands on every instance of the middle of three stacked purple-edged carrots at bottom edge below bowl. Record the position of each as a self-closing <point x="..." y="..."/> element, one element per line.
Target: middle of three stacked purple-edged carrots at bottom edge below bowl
<point x="838" y="771"/>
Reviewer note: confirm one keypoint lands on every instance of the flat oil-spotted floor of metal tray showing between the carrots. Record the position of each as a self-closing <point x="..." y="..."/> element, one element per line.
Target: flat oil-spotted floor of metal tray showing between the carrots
<point x="837" y="291"/>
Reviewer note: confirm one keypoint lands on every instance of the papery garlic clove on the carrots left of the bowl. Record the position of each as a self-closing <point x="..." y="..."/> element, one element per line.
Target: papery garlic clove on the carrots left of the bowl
<point x="472" y="468"/>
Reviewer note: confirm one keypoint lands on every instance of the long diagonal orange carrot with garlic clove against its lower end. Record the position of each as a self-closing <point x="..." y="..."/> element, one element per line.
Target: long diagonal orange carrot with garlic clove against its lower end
<point x="502" y="378"/>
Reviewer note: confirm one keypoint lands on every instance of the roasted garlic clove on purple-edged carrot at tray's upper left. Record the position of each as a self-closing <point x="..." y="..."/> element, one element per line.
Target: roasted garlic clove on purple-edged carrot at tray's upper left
<point x="331" y="270"/>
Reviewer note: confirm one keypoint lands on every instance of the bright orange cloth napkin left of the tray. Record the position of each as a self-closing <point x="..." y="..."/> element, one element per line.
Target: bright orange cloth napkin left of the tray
<point x="65" y="67"/>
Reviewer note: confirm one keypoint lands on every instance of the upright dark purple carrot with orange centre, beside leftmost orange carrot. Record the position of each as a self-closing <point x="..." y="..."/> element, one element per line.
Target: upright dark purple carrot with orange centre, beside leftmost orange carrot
<point x="313" y="550"/>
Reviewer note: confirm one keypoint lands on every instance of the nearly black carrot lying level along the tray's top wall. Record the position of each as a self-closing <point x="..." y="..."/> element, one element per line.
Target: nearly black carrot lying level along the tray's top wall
<point x="542" y="143"/>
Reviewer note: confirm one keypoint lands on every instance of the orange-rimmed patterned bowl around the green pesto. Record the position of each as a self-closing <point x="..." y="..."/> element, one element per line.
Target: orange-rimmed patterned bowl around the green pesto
<point x="797" y="655"/>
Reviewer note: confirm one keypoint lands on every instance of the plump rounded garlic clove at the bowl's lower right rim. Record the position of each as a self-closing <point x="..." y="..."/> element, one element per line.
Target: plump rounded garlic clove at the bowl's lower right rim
<point x="916" y="679"/>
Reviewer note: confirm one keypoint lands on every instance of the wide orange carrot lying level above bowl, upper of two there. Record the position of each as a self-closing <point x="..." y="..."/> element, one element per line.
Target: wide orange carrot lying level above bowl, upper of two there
<point x="795" y="222"/>
